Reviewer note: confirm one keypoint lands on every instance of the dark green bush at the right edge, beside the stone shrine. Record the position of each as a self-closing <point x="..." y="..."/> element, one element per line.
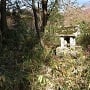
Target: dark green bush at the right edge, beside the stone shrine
<point x="84" y="38"/>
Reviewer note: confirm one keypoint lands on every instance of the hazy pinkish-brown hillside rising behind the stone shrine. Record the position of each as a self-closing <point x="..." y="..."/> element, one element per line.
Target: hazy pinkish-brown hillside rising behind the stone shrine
<point x="76" y="15"/>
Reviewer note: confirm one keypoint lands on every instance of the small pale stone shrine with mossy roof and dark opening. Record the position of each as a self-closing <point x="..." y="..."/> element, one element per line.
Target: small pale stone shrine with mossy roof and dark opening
<point x="67" y="40"/>
